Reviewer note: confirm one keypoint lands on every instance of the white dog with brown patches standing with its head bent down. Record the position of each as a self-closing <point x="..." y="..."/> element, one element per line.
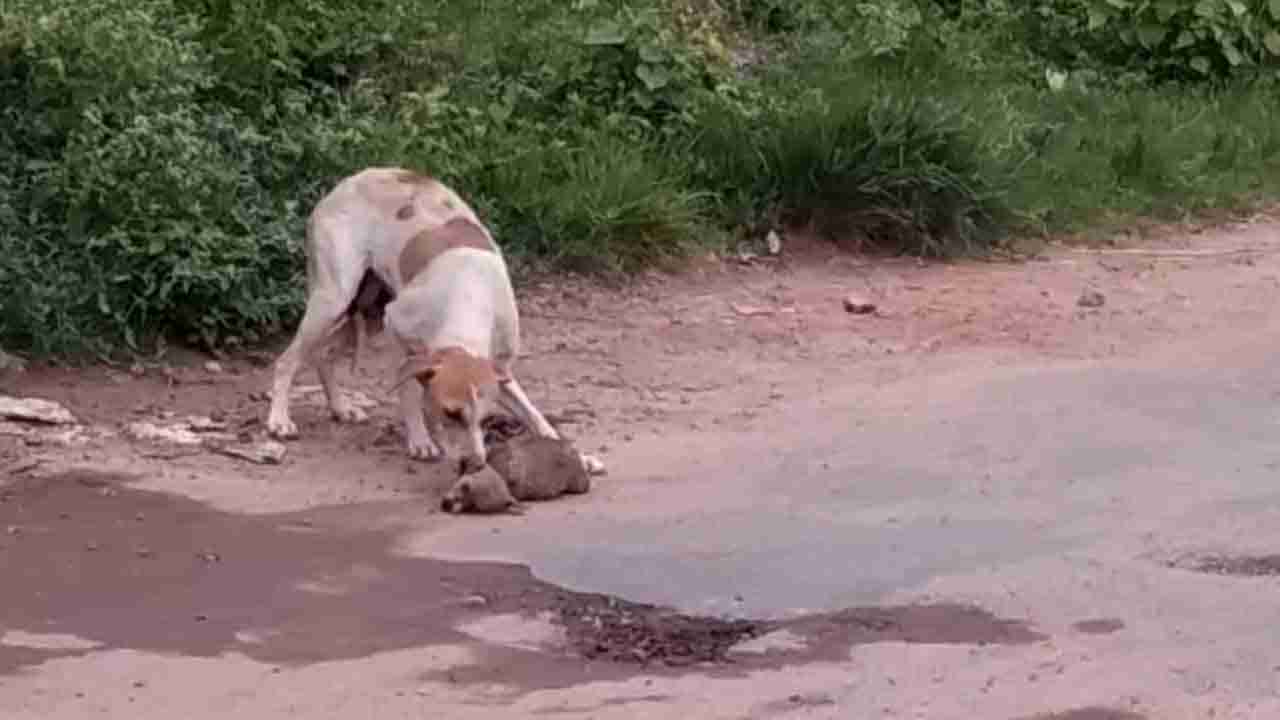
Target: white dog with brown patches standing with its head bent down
<point x="394" y="249"/>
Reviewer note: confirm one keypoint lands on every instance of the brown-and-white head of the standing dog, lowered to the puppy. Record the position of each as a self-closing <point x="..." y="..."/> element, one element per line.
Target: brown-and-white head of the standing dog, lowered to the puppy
<point x="461" y="391"/>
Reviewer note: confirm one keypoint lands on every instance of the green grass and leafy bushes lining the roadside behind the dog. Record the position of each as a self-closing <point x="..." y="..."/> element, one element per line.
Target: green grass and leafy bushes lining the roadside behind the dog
<point x="168" y="152"/>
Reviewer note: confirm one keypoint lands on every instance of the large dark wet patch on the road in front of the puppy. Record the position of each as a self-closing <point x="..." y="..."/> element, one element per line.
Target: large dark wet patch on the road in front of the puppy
<point x="86" y="557"/>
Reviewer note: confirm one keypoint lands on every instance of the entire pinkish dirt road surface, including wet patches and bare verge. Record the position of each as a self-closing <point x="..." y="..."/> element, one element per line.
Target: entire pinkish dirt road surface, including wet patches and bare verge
<point x="1040" y="490"/>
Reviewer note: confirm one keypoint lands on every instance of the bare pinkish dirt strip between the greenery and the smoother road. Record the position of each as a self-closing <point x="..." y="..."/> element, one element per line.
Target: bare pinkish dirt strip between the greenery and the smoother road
<point x="711" y="349"/>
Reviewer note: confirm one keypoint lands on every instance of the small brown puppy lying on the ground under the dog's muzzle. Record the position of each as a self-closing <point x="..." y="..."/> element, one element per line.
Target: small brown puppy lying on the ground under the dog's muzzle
<point x="525" y="468"/>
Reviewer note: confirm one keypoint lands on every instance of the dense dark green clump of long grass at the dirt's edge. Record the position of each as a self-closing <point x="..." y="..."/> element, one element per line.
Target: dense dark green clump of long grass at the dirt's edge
<point x="903" y="174"/>
